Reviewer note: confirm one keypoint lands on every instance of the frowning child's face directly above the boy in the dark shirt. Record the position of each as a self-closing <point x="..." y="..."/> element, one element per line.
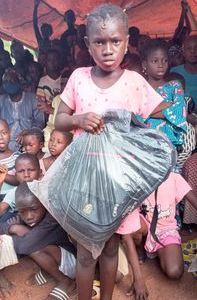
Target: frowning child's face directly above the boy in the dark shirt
<point x="26" y="171"/>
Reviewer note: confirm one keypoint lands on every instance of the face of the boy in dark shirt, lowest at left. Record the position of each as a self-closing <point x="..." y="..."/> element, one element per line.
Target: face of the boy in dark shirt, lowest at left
<point x="30" y="210"/>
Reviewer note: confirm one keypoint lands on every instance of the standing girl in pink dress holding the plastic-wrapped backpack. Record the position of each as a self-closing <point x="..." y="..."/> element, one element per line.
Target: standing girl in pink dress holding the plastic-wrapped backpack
<point x="90" y="92"/>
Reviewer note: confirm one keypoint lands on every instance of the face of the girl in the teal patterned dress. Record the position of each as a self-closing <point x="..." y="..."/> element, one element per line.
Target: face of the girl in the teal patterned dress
<point x="156" y="64"/>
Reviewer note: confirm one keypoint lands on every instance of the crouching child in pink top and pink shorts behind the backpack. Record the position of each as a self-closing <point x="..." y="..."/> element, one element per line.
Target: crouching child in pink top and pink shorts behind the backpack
<point x="167" y="243"/>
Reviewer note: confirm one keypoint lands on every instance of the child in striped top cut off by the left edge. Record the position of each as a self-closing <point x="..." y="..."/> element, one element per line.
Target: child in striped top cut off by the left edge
<point x="7" y="159"/>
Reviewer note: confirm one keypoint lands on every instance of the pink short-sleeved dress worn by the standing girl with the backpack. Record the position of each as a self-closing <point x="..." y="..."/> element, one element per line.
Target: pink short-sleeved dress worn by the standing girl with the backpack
<point x="130" y="92"/>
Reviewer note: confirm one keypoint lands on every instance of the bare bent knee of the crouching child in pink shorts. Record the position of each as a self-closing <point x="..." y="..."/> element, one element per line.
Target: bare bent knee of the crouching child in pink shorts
<point x="171" y="261"/>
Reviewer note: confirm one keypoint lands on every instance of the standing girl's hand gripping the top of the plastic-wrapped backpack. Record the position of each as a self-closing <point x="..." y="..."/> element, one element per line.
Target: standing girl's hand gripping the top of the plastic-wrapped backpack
<point x="90" y="122"/>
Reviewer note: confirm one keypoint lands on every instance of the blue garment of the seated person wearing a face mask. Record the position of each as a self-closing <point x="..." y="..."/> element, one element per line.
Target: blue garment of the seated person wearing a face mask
<point x="20" y="115"/>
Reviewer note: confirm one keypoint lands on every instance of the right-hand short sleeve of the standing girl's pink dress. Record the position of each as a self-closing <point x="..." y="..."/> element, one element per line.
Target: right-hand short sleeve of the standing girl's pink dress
<point x="149" y="99"/>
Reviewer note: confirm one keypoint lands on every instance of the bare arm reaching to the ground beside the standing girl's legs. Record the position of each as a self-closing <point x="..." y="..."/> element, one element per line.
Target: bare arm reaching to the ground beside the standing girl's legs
<point x="139" y="286"/>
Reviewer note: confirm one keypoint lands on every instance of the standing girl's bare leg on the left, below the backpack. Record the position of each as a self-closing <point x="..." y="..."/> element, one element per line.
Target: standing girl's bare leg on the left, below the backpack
<point x="85" y="273"/>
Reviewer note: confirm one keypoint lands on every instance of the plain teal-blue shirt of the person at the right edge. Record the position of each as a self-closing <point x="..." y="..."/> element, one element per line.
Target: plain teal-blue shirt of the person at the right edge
<point x="190" y="82"/>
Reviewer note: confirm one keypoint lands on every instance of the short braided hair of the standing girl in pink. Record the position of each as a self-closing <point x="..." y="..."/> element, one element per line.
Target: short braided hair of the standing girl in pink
<point x="106" y="12"/>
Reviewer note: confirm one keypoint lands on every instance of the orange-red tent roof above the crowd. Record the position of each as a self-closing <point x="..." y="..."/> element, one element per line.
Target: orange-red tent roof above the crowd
<point x="151" y="16"/>
